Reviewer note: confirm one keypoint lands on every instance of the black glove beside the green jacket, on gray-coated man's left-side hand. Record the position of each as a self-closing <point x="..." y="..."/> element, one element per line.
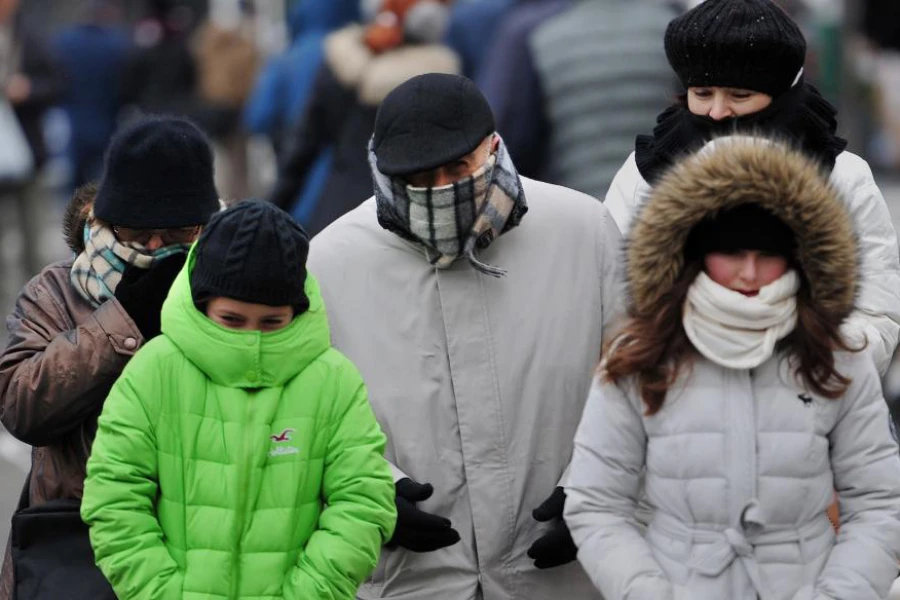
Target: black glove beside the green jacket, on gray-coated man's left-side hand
<point x="416" y="530"/>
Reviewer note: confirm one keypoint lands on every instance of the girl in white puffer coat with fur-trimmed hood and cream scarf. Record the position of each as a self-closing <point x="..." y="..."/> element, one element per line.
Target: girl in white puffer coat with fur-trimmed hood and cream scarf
<point x="732" y="391"/>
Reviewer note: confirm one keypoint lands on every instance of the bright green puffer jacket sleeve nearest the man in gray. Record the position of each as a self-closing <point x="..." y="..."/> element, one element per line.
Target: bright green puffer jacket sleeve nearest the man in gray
<point x="360" y="512"/>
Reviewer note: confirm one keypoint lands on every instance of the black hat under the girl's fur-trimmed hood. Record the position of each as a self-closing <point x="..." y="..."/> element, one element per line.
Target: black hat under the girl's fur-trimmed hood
<point x="744" y="227"/>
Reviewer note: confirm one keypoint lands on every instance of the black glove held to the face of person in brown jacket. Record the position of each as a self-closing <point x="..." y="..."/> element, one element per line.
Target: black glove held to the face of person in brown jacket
<point x="141" y="292"/>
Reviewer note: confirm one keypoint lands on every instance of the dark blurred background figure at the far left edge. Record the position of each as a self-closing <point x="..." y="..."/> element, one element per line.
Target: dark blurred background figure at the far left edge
<point x="31" y="83"/>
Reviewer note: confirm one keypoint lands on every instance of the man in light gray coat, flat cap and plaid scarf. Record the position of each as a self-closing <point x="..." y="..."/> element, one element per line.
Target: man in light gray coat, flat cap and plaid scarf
<point x="474" y="302"/>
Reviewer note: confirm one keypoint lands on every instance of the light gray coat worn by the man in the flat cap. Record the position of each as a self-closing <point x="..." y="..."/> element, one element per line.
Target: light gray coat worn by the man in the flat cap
<point x="478" y="382"/>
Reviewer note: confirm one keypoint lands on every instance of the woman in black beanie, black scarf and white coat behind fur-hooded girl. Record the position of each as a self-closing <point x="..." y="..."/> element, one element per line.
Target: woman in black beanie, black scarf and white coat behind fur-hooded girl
<point x="741" y="65"/>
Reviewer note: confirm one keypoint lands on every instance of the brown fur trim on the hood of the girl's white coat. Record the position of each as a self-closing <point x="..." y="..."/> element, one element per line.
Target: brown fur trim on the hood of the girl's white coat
<point x="738" y="170"/>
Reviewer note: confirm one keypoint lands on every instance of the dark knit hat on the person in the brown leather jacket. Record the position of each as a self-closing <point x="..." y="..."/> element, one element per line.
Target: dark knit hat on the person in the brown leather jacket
<point x="158" y="175"/>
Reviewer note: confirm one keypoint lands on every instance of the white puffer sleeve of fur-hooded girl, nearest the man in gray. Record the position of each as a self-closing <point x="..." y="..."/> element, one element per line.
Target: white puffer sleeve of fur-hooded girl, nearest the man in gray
<point x="602" y="494"/>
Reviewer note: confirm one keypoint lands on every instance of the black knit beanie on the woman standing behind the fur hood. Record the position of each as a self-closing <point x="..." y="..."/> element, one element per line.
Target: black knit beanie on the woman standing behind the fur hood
<point x="747" y="44"/>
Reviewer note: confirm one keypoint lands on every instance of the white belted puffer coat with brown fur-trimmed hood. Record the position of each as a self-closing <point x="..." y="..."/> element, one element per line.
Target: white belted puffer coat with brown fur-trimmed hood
<point x="739" y="465"/>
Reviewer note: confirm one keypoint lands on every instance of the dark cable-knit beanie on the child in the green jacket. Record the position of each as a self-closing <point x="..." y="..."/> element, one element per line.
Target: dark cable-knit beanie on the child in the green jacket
<point x="253" y="252"/>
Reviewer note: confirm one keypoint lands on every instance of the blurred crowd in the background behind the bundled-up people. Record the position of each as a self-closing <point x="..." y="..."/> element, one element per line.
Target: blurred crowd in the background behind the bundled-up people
<point x="288" y="89"/>
